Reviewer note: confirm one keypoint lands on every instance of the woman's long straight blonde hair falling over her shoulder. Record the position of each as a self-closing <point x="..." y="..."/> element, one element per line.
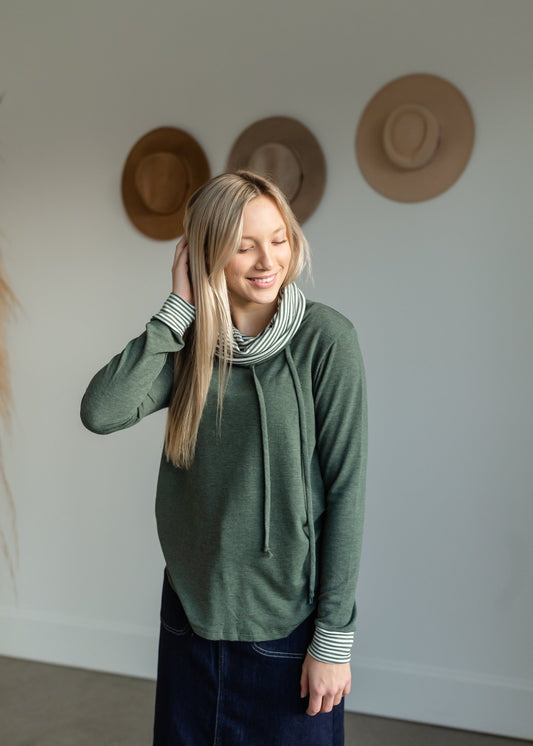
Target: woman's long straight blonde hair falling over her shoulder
<point x="213" y="225"/>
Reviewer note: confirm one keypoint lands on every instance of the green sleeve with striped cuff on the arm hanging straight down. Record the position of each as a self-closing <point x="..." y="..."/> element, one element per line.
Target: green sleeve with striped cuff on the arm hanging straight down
<point x="341" y="426"/>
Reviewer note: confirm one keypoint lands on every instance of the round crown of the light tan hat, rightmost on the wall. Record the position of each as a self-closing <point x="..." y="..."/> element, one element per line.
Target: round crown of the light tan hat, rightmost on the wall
<point x="411" y="136"/>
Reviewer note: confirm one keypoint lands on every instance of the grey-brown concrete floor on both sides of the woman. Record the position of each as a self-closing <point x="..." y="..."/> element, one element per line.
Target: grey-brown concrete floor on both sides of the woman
<point x="45" y="705"/>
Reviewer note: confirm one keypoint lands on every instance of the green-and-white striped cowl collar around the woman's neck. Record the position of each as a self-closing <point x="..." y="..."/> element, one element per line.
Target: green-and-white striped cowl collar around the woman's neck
<point x="280" y="331"/>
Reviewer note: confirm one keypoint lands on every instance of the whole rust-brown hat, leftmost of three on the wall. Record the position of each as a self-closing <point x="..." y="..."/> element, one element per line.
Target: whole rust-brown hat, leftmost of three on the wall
<point x="162" y="170"/>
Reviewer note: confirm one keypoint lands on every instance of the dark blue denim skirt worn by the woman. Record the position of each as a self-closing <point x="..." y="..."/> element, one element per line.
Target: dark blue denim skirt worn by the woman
<point x="220" y="693"/>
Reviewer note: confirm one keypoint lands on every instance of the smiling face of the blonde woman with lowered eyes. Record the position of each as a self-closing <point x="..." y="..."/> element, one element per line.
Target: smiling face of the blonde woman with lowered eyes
<point x="255" y="274"/>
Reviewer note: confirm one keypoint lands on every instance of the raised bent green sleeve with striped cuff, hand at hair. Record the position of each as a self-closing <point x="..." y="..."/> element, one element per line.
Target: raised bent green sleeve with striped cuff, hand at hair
<point x="137" y="381"/>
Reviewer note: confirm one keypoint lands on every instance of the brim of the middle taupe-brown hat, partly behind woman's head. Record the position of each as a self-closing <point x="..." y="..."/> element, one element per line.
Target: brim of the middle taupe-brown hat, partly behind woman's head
<point x="303" y="144"/>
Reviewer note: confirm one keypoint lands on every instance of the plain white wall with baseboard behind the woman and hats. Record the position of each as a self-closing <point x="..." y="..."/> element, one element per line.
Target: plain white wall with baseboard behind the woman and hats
<point x="439" y="291"/>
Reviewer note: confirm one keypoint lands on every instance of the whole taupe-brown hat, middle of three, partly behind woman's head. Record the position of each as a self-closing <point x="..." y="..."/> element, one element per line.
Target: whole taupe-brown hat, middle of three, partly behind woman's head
<point x="286" y="152"/>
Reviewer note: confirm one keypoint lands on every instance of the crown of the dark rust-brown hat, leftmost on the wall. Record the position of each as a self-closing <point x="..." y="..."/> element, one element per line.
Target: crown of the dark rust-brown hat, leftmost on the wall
<point x="162" y="182"/>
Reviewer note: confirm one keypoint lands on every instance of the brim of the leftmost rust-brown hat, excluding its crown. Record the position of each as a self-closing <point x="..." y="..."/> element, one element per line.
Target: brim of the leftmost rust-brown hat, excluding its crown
<point x="187" y="149"/>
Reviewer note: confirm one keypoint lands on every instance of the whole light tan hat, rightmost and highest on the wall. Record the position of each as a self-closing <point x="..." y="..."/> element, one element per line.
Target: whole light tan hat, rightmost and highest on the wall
<point x="414" y="138"/>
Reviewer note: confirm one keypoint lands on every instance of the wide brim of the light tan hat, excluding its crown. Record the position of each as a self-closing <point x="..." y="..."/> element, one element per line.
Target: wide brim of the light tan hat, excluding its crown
<point x="457" y="130"/>
